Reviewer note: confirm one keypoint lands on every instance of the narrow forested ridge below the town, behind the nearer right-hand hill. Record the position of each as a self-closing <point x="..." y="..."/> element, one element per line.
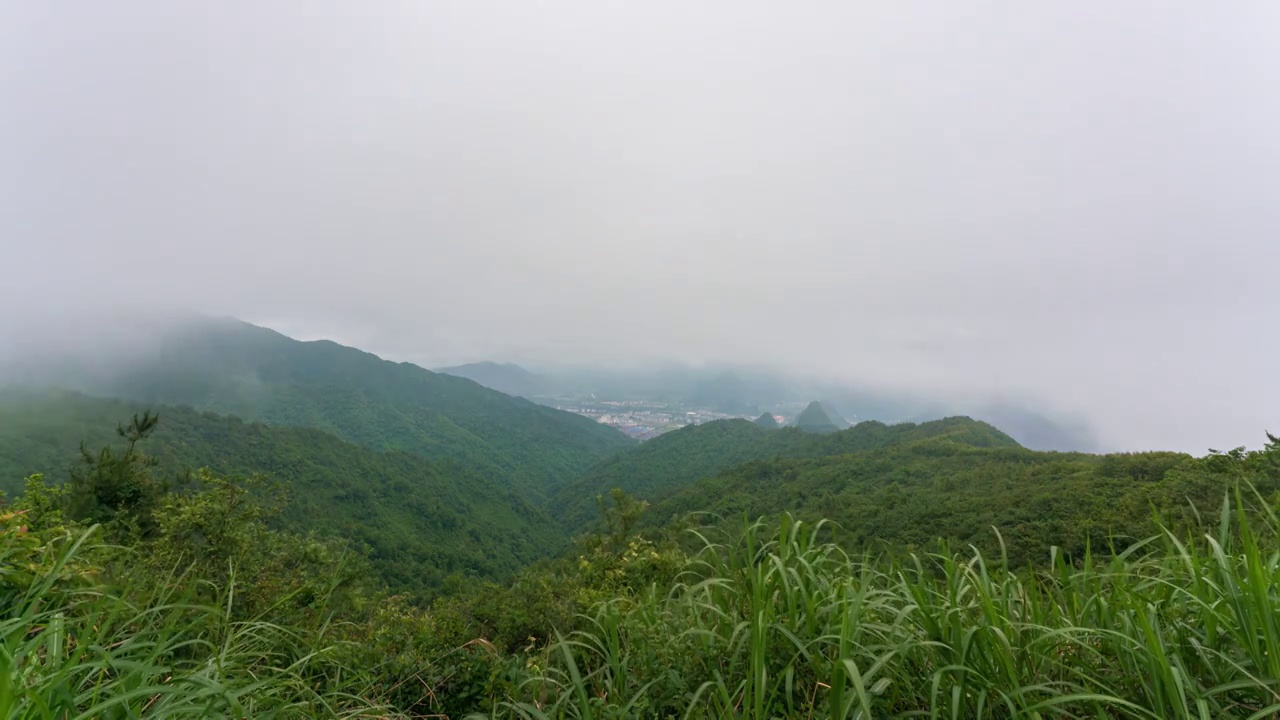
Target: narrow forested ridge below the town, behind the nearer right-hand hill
<point x="674" y="461"/>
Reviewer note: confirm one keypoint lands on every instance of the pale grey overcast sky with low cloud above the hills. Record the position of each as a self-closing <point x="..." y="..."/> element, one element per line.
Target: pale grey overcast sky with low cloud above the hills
<point x="1075" y="203"/>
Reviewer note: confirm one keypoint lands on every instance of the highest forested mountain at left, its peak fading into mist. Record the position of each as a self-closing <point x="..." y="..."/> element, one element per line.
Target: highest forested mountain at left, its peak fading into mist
<point x="235" y="368"/>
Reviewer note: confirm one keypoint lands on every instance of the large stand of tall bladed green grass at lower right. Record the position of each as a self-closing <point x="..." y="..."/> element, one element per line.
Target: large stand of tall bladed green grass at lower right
<point x="774" y="622"/>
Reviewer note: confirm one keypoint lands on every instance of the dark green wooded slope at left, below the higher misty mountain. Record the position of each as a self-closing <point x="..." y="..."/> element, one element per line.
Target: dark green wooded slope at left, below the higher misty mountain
<point x="420" y="520"/>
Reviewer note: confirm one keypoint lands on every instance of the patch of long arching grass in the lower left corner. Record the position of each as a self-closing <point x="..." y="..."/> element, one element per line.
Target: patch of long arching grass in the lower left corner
<point x="71" y="649"/>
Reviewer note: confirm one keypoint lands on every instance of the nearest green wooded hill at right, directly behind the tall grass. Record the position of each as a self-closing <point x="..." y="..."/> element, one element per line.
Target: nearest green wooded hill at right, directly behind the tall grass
<point x="911" y="495"/>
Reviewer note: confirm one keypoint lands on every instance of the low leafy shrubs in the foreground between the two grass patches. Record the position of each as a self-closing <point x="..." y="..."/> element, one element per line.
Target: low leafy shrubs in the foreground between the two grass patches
<point x="477" y="646"/>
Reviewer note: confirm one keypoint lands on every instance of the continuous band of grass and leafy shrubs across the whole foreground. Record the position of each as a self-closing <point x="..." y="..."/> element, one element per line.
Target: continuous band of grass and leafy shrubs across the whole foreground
<point x="769" y="622"/>
